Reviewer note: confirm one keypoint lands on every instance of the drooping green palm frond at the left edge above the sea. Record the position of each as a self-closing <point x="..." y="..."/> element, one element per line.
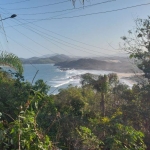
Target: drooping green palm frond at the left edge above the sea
<point x="11" y="60"/>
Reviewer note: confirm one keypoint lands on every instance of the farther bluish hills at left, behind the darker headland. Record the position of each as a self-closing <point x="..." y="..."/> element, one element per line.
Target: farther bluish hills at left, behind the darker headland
<point x="46" y="60"/>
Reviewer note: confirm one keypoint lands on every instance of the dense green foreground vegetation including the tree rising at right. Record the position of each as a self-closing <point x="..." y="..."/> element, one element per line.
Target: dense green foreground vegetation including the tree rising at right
<point x="102" y="114"/>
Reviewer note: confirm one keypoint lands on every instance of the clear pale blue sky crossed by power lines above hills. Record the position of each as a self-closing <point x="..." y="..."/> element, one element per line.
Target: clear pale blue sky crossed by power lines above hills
<point x="44" y="27"/>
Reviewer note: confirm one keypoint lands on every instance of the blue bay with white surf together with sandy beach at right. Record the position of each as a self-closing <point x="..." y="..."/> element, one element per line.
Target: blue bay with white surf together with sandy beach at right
<point x="60" y="79"/>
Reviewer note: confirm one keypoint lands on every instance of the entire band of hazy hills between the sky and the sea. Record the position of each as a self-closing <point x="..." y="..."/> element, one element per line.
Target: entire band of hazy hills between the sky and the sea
<point x="116" y="64"/>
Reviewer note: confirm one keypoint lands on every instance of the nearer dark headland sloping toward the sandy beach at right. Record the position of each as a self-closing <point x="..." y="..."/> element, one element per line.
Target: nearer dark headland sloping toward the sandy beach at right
<point x="92" y="64"/>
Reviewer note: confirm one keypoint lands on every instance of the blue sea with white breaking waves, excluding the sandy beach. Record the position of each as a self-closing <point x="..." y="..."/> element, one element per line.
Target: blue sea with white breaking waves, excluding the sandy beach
<point x="54" y="77"/>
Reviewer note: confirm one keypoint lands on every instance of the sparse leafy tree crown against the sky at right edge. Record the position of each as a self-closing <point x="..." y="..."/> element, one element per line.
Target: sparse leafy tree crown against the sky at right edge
<point x="137" y="44"/>
